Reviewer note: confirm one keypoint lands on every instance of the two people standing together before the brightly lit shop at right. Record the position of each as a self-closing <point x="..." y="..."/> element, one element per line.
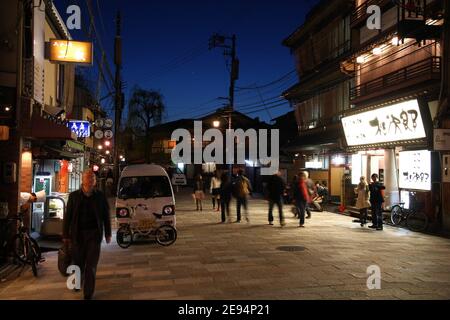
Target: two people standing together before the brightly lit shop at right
<point x="370" y="196"/>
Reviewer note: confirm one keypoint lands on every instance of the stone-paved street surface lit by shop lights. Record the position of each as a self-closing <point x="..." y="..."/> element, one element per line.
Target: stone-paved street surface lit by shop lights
<point x="241" y="261"/>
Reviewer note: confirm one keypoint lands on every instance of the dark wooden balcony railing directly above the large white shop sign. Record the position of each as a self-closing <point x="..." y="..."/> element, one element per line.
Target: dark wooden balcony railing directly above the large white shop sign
<point x="414" y="74"/>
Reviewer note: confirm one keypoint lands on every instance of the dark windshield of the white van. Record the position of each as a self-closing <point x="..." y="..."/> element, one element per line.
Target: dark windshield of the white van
<point x="144" y="187"/>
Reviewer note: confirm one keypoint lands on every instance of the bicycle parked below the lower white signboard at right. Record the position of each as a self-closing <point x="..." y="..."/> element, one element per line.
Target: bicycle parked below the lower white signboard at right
<point x="415" y="219"/>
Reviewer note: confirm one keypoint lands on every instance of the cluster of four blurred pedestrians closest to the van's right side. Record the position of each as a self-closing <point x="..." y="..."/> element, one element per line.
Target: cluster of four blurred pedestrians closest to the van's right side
<point x="222" y="190"/>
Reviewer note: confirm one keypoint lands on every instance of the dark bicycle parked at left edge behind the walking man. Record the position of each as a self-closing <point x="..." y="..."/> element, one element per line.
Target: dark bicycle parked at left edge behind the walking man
<point x="26" y="249"/>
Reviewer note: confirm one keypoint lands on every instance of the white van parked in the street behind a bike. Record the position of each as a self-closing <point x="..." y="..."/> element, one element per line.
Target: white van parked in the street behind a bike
<point x="145" y="194"/>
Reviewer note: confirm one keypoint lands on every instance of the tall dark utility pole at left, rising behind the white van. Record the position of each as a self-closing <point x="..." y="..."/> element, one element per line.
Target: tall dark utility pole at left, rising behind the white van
<point x="118" y="96"/>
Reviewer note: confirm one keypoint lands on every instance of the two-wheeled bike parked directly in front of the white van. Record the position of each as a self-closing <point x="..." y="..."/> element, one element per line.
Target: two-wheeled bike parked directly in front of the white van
<point x="164" y="234"/>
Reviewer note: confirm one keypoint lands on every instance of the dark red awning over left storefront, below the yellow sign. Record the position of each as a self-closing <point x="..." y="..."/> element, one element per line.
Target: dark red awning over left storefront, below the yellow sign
<point x="49" y="130"/>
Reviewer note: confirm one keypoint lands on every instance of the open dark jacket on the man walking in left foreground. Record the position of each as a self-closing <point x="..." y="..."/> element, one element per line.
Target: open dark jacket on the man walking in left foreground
<point x="71" y="218"/>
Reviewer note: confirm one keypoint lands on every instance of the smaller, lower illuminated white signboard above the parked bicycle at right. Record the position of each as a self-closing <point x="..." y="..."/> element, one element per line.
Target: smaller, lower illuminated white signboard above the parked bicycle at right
<point x="415" y="170"/>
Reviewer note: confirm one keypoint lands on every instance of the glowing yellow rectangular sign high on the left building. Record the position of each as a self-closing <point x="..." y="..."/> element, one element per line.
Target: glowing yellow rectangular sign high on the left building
<point x="70" y="51"/>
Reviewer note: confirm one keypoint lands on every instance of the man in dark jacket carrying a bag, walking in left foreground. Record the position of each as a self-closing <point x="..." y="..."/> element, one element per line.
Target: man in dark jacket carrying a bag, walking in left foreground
<point x="87" y="218"/>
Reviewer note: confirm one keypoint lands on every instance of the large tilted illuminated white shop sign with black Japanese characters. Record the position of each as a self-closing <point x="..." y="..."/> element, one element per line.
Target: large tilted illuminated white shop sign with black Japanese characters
<point x="397" y="122"/>
